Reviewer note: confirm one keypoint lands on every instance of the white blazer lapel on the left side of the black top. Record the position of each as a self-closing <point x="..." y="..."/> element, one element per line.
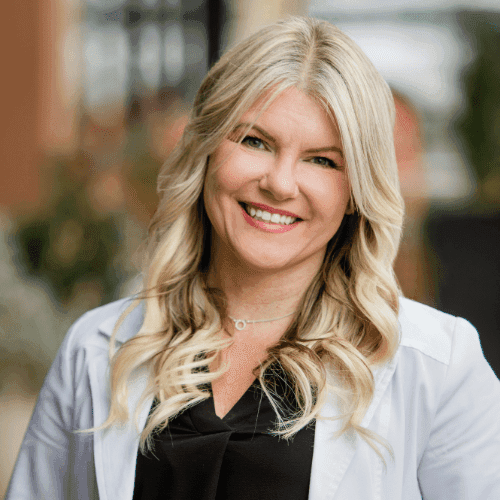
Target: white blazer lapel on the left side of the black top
<point x="115" y="448"/>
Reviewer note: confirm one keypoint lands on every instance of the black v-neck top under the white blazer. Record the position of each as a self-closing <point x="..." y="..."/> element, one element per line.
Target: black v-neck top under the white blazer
<point x="200" y="456"/>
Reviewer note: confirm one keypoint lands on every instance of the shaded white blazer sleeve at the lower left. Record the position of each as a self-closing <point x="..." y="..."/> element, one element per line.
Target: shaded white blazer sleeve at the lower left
<point x="54" y="462"/>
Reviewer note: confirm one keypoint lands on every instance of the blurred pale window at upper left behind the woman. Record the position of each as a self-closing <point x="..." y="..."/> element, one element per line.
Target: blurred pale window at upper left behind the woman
<point x="143" y="48"/>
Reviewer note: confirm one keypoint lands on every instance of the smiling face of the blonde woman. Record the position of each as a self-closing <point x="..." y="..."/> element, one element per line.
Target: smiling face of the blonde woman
<point x="277" y="198"/>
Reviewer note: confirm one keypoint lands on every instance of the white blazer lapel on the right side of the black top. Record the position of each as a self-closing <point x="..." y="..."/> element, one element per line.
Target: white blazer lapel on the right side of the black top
<point x="332" y="455"/>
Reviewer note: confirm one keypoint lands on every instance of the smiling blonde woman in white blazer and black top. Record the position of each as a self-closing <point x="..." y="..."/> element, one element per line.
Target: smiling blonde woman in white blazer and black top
<point x="270" y="355"/>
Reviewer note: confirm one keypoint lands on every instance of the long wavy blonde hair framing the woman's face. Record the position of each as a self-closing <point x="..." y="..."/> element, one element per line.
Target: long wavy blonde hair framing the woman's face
<point x="347" y="320"/>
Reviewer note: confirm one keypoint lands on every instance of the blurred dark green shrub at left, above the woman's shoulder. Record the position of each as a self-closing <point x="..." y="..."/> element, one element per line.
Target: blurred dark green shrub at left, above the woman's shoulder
<point x="70" y="242"/>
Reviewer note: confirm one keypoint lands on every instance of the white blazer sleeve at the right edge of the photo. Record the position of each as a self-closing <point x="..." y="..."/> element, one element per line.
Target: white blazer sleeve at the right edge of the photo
<point x="462" y="457"/>
